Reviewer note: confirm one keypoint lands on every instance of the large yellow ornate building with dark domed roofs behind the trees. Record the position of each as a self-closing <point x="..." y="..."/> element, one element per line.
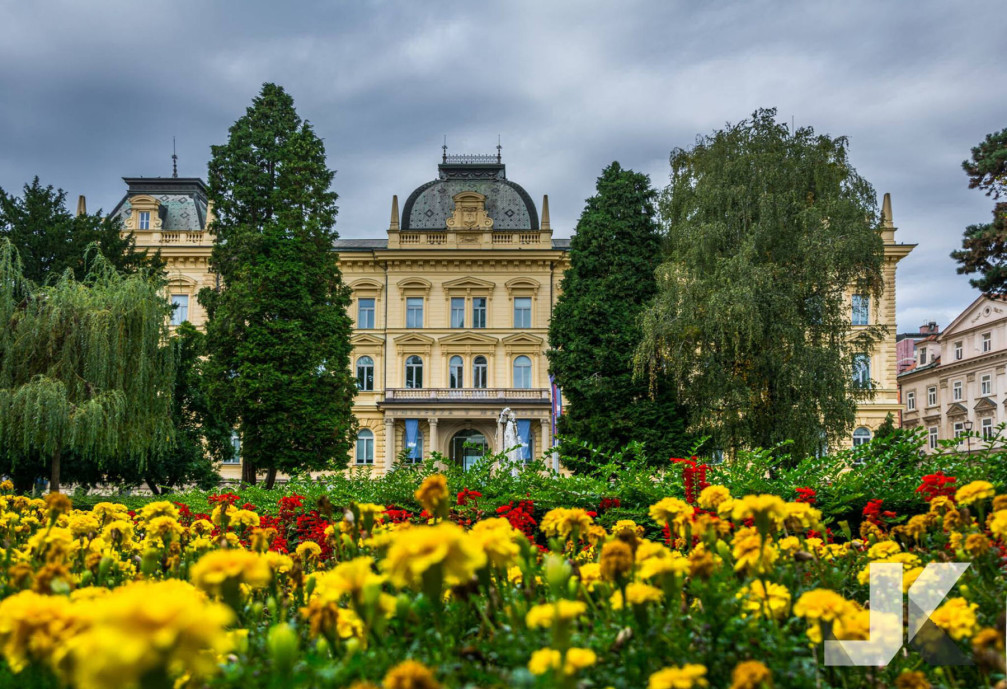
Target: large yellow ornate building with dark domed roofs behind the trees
<point x="452" y="311"/>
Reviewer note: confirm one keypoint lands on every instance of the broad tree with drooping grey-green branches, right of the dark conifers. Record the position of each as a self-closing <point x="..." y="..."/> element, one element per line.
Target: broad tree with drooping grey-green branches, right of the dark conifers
<point x="767" y="231"/>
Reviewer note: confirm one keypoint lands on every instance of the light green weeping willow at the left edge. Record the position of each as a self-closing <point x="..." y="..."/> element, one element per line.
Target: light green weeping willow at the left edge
<point x="83" y="369"/>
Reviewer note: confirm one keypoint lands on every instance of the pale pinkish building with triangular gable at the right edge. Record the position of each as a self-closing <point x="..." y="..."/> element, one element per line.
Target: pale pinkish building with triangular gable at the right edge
<point x="959" y="383"/>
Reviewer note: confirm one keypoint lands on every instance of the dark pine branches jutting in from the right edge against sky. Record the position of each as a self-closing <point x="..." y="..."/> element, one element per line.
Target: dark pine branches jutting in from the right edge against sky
<point x="984" y="247"/>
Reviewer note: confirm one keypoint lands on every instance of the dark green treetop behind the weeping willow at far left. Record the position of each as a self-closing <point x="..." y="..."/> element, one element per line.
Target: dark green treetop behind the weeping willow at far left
<point x="52" y="241"/>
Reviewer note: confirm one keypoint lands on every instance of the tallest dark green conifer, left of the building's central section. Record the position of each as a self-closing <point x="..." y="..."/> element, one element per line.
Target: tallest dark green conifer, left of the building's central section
<point x="278" y="332"/>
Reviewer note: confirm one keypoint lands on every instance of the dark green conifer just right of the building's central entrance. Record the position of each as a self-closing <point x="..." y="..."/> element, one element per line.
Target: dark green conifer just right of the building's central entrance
<point x="596" y="328"/>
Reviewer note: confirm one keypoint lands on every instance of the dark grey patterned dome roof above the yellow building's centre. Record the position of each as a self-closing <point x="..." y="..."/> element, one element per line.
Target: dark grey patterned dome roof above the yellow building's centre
<point x="510" y="207"/>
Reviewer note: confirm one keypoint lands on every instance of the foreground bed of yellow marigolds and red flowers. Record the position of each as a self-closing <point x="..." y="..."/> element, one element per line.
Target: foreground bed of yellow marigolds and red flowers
<point x="715" y="591"/>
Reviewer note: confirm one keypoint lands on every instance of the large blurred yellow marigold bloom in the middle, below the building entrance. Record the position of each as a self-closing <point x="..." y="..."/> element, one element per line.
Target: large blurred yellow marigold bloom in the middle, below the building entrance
<point x="416" y="550"/>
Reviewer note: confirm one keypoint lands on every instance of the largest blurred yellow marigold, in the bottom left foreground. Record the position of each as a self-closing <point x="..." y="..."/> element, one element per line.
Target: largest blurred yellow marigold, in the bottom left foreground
<point x="150" y="629"/>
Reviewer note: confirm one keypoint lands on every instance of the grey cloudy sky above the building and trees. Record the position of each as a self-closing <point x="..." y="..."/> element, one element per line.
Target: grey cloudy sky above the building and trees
<point x="92" y="92"/>
